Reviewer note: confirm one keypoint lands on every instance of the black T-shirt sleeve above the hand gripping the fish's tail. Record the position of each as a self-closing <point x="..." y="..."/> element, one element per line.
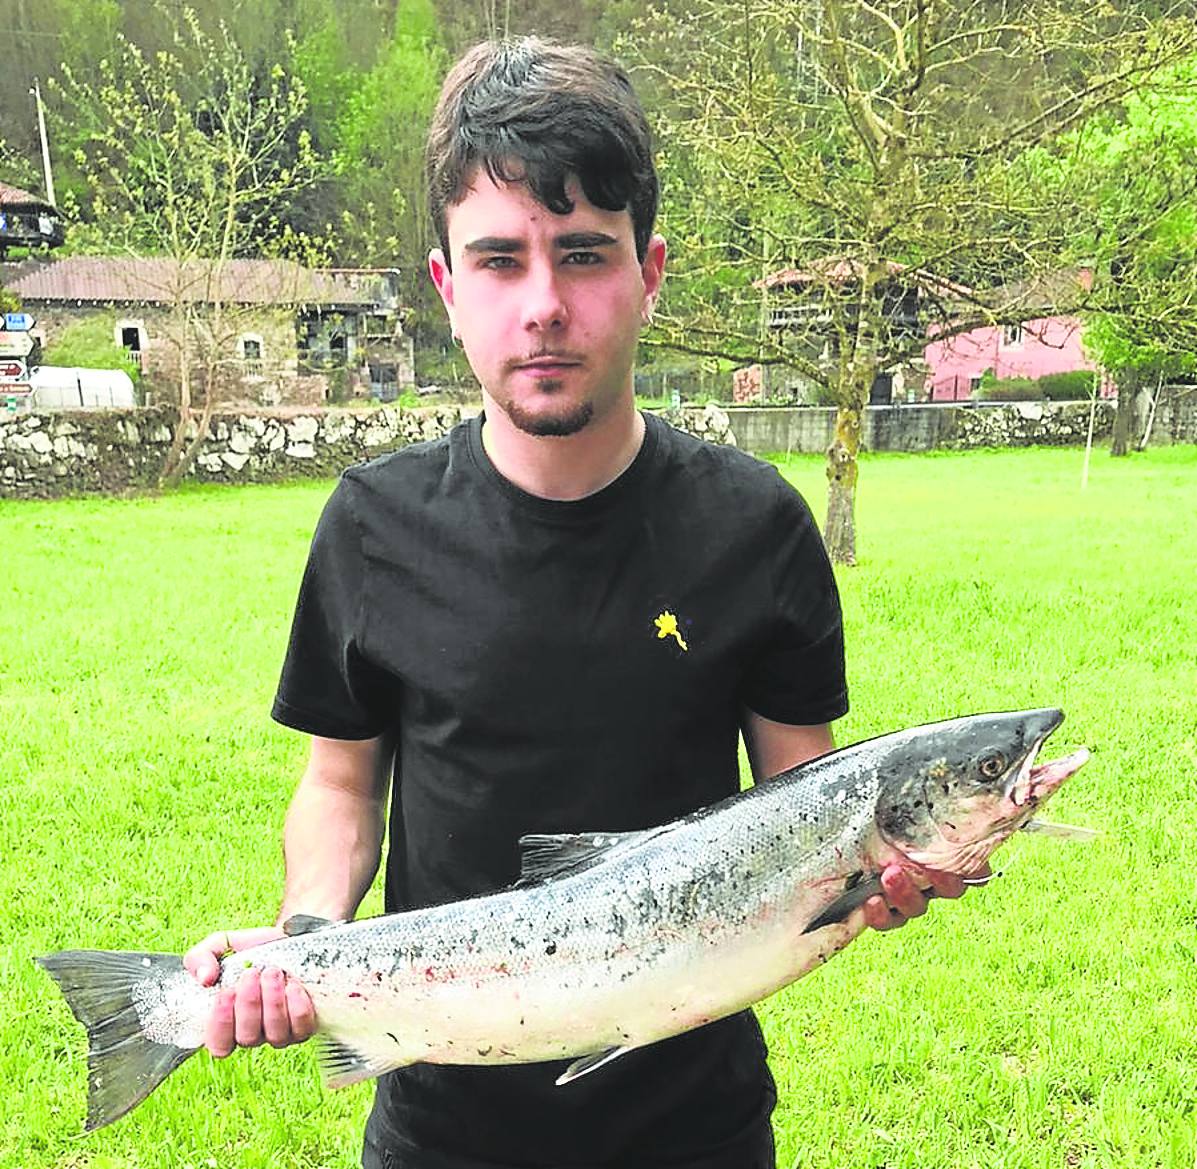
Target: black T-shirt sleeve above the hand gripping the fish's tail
<point x="329" y="687"/>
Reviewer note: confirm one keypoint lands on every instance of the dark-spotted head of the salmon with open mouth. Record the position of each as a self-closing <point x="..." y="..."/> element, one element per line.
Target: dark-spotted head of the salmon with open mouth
<point x="950" y="794"/>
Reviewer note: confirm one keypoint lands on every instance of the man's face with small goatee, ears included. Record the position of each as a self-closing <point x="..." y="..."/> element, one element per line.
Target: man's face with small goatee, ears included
<point x="549" y="308"/>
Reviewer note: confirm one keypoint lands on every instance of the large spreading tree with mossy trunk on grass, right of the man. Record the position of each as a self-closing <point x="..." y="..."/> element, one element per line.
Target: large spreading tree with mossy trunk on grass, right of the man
<point x="886" y="154"/>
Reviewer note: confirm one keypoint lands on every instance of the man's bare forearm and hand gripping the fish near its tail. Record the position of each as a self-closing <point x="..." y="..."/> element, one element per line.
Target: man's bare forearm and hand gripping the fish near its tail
<point x="332" y="845"/>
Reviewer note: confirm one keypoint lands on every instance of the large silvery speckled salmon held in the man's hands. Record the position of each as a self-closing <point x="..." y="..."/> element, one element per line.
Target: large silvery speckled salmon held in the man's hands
<point x="610" y="941"/>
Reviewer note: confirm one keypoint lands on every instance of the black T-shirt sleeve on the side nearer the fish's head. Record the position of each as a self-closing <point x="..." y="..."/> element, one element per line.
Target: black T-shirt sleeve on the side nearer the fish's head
<point x="799" y="677"/>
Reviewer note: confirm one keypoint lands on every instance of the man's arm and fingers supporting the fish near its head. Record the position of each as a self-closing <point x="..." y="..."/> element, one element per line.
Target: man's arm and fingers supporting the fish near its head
<point x="775" y="748"/>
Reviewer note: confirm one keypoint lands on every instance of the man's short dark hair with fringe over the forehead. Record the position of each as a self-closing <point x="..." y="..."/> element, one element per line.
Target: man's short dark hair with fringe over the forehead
<point x="533" y="112"/>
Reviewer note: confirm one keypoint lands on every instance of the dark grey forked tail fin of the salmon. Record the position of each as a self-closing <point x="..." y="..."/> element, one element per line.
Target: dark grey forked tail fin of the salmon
<point x="124" y="1066"/>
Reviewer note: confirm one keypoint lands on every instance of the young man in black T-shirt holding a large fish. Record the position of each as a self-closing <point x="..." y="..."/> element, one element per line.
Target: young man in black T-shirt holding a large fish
<point x="558" y="619"/>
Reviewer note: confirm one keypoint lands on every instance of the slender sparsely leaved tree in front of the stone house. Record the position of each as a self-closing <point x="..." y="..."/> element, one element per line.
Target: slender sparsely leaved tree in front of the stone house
<point x="193" y="157"/>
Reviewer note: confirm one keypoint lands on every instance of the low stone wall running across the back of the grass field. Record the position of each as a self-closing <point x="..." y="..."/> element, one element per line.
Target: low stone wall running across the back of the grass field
<point x="59" y="453"/>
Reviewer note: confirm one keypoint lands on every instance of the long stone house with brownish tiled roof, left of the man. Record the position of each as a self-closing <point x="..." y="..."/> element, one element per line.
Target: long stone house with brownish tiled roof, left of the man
<point x="268" y="332"/>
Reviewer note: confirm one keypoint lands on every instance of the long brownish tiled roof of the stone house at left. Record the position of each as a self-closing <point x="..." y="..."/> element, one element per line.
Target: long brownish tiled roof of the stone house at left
<point x="157" y="281"/>
